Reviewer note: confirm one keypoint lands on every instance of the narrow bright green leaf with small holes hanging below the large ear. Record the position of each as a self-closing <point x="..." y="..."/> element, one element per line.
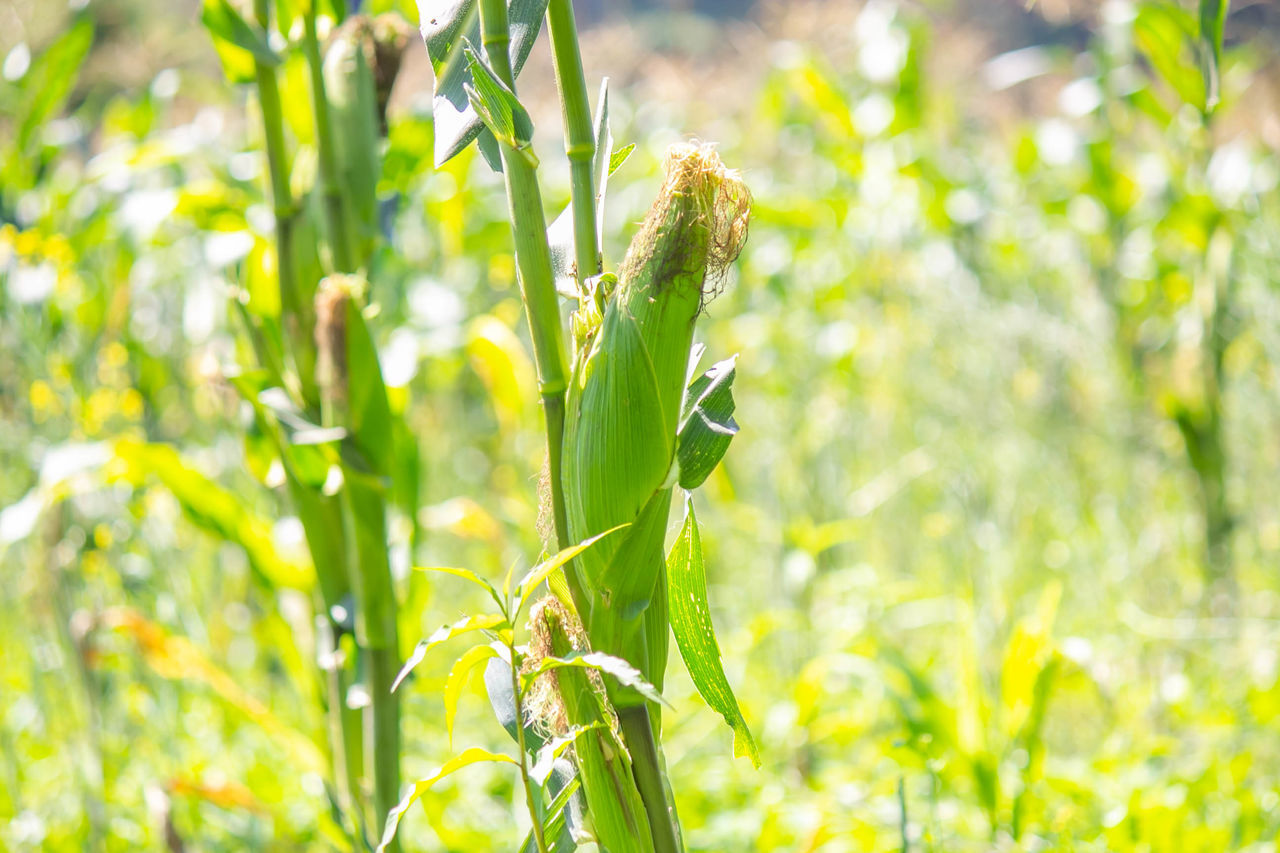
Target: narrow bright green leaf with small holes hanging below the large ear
<point x="696" y="636"/>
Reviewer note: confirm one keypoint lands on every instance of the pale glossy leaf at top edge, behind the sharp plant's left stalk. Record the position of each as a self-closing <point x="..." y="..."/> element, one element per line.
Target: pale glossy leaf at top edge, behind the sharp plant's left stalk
<point x="446" y="24"/>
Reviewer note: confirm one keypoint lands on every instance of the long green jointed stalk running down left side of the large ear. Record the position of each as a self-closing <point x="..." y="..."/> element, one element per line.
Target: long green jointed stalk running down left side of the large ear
<point x="537" y="281"/>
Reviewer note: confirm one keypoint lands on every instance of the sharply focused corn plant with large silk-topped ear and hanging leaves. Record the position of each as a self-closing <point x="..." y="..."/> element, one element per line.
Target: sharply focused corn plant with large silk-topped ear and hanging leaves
<point x="625" y="428"/>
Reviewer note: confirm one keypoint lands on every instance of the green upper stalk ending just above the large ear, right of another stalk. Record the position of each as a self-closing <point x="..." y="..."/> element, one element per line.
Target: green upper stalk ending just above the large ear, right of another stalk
<point x="579" y="135"/>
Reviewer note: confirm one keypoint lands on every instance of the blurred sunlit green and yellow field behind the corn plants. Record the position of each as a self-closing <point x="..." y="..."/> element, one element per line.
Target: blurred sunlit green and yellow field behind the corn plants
<point x="994" y="560"/>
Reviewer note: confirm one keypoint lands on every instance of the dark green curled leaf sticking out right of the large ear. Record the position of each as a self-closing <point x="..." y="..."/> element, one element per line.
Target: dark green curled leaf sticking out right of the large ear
<point x="707" y="426"/>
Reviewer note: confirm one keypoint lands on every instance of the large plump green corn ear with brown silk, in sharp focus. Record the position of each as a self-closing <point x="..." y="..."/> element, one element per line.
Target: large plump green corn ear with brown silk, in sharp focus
<point x="625" y="403"/>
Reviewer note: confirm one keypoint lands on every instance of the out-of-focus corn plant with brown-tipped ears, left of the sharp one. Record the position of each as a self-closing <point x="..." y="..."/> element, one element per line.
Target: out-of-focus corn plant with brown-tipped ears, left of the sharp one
<point x="316" y="387"/>
